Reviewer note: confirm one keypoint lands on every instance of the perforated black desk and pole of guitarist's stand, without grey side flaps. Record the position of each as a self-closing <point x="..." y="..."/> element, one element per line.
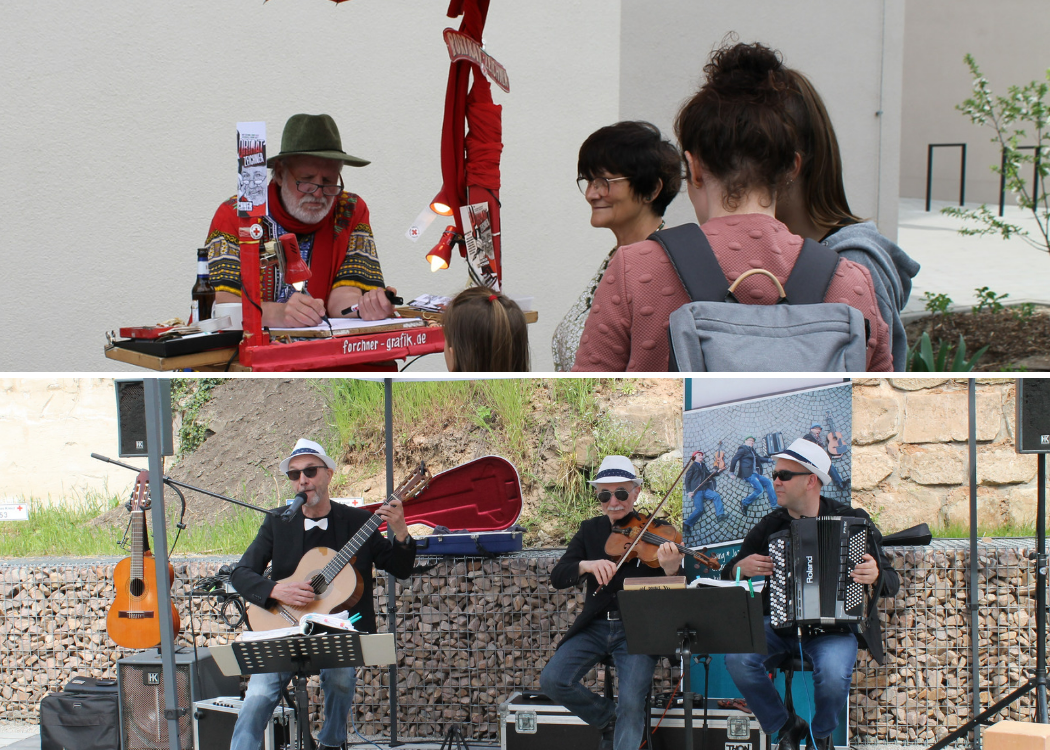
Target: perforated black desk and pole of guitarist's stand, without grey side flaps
<point x="303" y="656"/>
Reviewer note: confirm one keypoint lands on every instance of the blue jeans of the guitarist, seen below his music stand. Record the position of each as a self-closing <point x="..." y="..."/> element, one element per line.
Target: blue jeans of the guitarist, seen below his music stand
<point x="264" y="694"/>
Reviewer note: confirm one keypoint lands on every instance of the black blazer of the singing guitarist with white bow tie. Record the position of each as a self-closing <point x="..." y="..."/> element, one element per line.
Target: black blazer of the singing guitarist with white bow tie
<point x="281" y="545"/>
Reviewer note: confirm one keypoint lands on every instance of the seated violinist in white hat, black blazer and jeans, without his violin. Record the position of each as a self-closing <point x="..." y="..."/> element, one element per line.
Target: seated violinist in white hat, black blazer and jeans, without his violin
<point x="598" y="633"/>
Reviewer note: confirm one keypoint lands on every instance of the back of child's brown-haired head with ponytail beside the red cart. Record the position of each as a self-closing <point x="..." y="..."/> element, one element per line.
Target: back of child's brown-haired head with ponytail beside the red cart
<point x="486" y="331"/>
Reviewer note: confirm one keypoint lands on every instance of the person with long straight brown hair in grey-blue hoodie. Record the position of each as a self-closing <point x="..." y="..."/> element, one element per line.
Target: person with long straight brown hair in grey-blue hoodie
<point x="815" y="206"/>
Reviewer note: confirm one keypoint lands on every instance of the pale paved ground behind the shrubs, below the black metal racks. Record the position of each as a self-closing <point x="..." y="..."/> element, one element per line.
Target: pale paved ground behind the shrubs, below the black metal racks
<point x="956" y="265"/>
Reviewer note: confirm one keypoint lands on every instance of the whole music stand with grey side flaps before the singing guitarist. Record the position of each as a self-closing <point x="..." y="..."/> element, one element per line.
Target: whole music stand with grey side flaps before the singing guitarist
<point x="305" y="656"/>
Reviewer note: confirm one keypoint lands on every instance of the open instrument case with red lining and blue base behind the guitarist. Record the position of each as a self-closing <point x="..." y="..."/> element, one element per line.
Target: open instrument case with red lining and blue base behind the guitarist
<point x="478" y="502"/>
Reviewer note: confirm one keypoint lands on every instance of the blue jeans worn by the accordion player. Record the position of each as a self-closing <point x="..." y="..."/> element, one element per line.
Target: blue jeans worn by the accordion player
<point x="833" y="657"/>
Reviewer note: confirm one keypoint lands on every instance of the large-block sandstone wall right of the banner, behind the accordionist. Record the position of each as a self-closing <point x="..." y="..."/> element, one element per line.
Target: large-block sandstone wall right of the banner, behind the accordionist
<point x="911" y="454"/>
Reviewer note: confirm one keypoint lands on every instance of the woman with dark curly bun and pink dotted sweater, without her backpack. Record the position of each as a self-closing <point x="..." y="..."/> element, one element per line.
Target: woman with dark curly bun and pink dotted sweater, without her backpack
<point x="740" y="145"/>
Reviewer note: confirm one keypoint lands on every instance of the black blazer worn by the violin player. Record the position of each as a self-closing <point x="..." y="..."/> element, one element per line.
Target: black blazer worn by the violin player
<point x="589" y="544"/>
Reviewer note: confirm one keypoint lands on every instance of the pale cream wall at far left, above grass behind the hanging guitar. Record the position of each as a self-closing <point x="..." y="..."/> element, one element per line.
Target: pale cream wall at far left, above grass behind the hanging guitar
<point x="49" y="429"/>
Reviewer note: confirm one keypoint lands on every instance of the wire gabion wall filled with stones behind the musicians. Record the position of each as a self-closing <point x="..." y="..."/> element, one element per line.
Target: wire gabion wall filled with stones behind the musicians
<point x="472" y="632"/>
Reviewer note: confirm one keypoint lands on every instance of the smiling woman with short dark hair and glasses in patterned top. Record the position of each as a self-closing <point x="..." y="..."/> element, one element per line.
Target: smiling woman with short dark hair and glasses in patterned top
<point x="629" y="175"/>
